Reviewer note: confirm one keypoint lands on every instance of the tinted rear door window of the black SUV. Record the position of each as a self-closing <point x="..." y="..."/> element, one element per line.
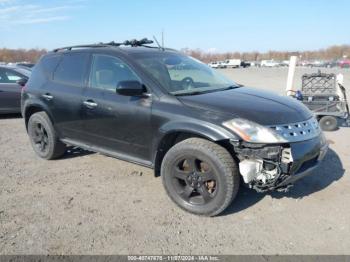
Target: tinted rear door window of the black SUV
<point x="71" y="69"/>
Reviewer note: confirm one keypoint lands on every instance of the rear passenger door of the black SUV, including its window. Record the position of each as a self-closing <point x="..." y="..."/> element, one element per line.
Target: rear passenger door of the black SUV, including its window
<point x="63" y="93"/>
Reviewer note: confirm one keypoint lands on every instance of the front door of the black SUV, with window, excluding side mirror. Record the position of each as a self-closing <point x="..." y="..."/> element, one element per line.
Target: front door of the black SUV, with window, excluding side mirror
<point x="114" y="122"/>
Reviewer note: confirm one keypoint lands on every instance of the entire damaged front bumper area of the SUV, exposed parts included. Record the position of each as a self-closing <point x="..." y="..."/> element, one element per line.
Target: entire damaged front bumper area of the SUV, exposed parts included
<point x="267" y="167"/>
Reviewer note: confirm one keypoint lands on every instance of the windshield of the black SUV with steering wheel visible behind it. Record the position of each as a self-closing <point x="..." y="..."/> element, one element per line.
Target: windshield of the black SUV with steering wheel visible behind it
<point x="183" y="75"/>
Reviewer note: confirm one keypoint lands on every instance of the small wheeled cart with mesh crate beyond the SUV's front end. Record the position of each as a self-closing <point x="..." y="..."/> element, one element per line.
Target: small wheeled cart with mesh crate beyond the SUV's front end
<point x="323" y="95"/>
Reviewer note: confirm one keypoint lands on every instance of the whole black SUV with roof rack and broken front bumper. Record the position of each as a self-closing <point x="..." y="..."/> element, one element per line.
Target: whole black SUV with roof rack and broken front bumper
<point x="162" y="109"/>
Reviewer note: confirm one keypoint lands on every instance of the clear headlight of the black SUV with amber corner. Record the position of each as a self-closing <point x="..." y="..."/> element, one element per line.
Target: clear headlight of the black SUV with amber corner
<point x="253" y="132"/>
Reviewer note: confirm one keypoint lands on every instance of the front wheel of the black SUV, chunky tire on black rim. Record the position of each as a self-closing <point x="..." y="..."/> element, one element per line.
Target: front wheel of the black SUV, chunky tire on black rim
<point x="200" y="176"/>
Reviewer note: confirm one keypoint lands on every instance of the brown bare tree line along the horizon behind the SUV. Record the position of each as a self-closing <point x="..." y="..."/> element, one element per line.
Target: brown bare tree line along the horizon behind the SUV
<point x="331" y="53"/>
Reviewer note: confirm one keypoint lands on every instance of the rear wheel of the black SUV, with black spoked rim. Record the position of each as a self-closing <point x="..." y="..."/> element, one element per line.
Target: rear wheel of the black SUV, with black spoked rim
<point x="43" y="137"/>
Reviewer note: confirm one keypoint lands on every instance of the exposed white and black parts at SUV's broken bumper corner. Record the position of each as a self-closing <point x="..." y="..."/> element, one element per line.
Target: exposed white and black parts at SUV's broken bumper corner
<point x="264" y="167"/>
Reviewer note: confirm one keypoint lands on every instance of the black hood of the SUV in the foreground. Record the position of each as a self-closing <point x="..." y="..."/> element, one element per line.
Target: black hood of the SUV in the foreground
<point x="262" y="107"/>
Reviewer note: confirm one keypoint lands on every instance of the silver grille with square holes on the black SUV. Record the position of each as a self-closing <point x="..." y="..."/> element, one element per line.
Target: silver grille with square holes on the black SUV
<point x="299" y="131"/>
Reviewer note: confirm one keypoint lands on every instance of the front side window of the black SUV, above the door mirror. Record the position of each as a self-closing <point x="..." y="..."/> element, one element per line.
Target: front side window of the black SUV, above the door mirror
<point x="107" y="72"/>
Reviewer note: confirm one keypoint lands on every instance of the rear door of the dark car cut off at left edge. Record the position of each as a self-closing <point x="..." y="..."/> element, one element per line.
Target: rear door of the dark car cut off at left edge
<point x="10" y="91"/>
